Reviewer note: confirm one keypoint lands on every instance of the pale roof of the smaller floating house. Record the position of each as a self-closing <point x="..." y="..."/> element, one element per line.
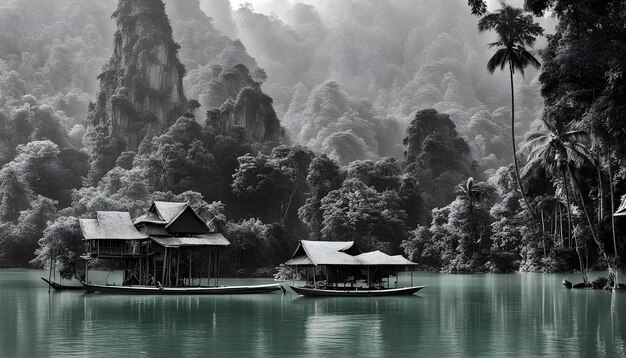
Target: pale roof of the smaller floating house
<point x="341" y="253"/>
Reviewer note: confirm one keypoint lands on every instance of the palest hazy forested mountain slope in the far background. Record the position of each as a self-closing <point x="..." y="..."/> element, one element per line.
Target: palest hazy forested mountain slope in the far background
<point x="396" y="57"/>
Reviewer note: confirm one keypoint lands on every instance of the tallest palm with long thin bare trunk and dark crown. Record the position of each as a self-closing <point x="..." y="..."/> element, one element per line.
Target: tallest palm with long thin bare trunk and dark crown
<point x="515" y="31"/>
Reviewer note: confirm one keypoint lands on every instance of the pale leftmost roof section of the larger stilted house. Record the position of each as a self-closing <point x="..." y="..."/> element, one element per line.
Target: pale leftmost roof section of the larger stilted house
<point x="110" y="225"/>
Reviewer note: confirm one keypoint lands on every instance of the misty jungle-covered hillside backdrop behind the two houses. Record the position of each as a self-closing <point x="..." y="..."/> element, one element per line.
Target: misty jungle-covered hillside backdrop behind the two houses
<point x="366" y="120"/>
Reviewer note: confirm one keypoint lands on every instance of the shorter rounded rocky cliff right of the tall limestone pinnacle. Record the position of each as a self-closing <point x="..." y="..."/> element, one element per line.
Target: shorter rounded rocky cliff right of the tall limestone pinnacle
<point x="238" y="101"/>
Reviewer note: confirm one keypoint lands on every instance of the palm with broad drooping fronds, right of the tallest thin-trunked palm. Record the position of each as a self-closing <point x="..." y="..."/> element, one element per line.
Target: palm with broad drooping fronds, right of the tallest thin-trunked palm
<point x="557" y="150"/>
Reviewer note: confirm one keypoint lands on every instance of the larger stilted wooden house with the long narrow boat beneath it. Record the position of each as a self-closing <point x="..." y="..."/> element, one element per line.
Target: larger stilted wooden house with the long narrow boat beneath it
<point x="169" y="249"/>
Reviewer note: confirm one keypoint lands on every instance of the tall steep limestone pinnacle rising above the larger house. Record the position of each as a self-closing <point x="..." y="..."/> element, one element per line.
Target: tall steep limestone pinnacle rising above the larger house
<point x="141" y="88"/>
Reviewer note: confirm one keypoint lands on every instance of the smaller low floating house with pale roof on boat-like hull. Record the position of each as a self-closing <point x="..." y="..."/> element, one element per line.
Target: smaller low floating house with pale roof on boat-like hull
<point x="339" y="268"/>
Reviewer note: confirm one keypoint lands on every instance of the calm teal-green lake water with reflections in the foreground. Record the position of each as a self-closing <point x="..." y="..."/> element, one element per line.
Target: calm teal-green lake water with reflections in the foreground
<point x="456" y="315"/>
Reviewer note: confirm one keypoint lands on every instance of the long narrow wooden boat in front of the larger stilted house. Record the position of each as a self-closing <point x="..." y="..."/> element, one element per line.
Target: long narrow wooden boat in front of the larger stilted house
<point x="152" y="290"/>
